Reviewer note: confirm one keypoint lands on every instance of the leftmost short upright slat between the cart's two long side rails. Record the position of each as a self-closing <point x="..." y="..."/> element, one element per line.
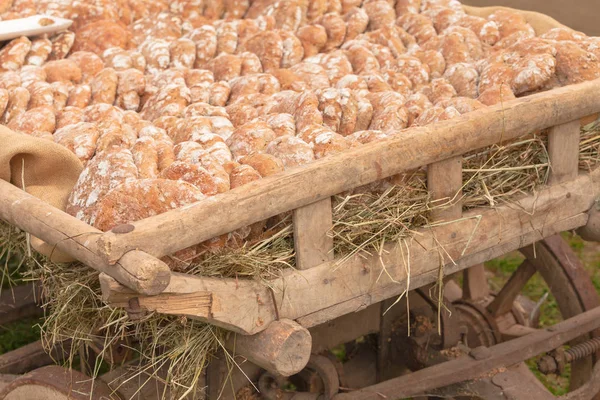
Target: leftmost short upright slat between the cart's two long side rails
<point x="312" y="241"/>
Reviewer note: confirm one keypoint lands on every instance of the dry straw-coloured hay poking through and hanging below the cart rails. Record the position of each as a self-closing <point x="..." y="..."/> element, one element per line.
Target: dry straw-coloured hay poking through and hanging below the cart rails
<point x="363" y="222"/>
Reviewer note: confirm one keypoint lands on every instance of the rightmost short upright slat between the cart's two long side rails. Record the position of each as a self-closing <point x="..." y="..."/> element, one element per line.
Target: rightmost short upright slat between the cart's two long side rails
<point x="563" y="151"/>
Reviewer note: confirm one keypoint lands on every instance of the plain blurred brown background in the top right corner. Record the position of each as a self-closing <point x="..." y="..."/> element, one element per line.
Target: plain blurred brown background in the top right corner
<point x="581" y="15"/>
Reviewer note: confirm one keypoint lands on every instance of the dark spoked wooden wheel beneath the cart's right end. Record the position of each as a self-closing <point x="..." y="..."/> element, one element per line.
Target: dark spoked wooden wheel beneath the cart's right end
<point x="507" y="315"/>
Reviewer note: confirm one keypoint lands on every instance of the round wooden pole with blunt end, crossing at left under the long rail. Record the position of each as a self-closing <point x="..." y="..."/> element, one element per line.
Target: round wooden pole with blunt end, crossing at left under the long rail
<point x="136" y="269"/>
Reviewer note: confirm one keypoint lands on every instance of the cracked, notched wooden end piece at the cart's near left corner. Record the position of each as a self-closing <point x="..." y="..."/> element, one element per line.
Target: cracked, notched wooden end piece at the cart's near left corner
<point x="241" y="306"/>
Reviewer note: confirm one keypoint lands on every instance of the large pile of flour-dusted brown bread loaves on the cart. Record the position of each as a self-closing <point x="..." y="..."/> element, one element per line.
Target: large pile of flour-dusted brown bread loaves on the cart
<point x="167" y="102"/>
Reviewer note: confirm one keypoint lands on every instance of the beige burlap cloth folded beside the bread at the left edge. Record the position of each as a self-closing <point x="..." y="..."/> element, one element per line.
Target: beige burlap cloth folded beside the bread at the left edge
<point x="46" y="170"/>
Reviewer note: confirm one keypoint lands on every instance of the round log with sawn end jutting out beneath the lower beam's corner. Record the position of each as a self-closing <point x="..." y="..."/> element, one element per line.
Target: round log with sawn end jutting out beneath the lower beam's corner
<point x="283" y="348"/>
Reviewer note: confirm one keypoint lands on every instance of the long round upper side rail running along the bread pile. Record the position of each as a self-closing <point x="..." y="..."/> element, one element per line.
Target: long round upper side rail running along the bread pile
<point x="177" y="229"/>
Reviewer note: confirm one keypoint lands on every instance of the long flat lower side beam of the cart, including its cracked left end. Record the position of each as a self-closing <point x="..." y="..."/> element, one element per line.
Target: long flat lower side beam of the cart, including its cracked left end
<point x="322" y="293"/>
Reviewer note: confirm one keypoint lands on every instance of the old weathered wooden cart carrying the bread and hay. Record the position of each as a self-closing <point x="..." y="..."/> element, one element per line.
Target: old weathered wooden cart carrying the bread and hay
<point x="282" y="327"/>
